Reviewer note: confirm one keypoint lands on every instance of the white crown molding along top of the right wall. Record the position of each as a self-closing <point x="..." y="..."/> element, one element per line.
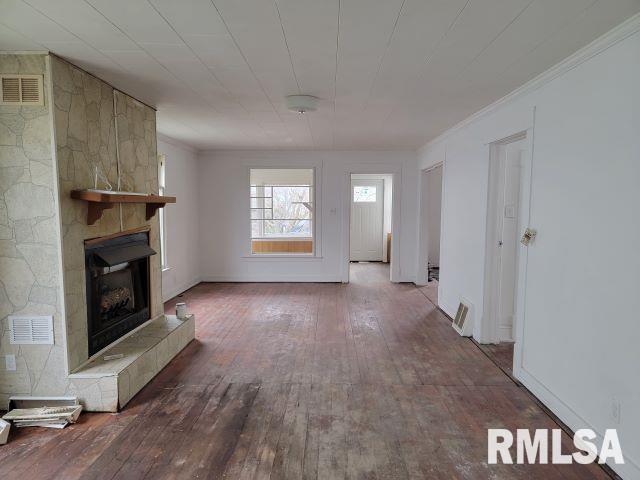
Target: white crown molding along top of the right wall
<point x="613" y="36"/>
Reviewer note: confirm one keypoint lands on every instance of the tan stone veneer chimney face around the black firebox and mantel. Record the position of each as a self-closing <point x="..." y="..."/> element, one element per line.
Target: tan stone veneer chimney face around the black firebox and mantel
<point x="85" y="134"/>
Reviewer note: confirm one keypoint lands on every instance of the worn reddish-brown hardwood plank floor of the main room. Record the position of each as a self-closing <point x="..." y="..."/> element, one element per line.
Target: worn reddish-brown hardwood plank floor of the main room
<point x="366" y="380"/>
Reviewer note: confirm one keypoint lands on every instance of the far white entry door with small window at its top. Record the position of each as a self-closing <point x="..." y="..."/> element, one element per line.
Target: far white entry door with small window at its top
<point x="366" y="220"/>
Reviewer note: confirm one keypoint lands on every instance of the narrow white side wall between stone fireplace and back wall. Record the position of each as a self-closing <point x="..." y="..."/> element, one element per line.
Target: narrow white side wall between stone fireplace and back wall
<point x="182" y="218"/>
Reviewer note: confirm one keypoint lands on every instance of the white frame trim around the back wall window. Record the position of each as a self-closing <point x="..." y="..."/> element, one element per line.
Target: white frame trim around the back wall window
<point x="313" y="197"/>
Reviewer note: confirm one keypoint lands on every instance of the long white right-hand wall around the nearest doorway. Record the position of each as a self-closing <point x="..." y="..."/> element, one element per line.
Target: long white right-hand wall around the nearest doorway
<point x="579" y="347"/>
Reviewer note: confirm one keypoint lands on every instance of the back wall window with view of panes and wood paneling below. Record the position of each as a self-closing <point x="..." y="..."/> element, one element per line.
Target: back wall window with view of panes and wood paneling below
<point x="282" y="209"/>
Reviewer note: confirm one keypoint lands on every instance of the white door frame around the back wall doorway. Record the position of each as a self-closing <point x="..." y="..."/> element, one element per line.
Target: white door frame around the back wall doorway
<point x="396" y="203"/>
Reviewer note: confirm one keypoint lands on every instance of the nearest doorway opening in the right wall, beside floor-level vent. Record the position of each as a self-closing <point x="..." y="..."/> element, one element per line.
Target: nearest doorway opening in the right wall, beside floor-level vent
<point x="507" y="216"/>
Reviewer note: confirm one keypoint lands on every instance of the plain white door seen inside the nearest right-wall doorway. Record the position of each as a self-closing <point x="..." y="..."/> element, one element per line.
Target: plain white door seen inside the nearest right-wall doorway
<point x="510" y="173"/>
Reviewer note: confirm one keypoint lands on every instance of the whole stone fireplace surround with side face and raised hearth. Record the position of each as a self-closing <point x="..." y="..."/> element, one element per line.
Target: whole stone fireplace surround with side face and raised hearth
<point x="45" y="152"/>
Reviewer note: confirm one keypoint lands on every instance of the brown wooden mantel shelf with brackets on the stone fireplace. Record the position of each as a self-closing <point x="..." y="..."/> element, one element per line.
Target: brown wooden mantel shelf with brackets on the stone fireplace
<point x="98" y="201"/>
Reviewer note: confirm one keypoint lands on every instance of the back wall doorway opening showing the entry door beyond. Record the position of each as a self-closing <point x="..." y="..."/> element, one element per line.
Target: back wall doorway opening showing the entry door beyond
<point x="370" y="220"/>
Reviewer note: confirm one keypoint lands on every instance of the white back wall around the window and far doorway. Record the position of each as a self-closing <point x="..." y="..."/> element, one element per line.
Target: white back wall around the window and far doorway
<point x="225" y="205"/>
